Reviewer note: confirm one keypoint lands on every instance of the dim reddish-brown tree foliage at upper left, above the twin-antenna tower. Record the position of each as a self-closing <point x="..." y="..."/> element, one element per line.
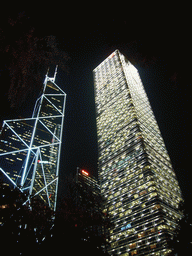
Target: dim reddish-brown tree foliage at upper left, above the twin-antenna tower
<point x="27" y="57"/>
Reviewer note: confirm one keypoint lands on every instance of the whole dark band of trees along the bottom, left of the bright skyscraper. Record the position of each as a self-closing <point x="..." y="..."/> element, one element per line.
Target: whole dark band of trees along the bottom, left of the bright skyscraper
<point x="28" y="229"/>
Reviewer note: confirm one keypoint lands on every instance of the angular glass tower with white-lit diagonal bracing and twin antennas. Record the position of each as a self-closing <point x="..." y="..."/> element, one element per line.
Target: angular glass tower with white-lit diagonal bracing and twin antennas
<point x="30" y="147"/>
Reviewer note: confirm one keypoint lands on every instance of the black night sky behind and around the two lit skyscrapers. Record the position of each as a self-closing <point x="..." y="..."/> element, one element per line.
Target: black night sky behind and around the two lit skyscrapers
<point x="158" y="46"/>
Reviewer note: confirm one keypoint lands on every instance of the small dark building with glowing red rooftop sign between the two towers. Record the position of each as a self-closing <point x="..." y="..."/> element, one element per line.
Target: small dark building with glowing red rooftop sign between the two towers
<point x="88" y="198"/>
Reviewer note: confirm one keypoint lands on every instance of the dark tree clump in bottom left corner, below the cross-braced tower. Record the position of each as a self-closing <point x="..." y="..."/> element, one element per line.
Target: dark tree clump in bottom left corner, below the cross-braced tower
<point x="23" y="228"/>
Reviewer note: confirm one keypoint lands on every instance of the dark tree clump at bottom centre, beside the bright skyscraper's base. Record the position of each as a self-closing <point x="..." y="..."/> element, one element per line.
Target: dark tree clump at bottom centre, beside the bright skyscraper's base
<point x="81" y="221"/>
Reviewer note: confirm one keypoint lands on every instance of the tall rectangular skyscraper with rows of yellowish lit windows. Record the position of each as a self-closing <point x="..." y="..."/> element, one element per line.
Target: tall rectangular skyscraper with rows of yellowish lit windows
<point x="135" y="171"/>
